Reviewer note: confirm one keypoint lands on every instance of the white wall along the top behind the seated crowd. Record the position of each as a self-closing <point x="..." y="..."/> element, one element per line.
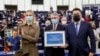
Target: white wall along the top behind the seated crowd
<point x="26" y="4"/>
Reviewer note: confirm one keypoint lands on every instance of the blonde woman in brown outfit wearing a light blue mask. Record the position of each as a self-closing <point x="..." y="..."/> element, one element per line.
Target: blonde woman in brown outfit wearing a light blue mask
<point x="30" y="33"/>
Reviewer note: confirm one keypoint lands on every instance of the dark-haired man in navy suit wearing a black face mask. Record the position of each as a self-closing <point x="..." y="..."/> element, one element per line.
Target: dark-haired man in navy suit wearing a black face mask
<point x="77" y="34"/>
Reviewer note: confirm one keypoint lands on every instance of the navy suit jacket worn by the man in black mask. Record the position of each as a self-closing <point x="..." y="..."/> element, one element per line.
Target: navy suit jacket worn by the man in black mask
<point x="80" y="41"/>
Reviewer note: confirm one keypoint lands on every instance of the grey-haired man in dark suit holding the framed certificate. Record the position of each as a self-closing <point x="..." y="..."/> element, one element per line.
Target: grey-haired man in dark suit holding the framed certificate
<point x="55" y="26"/>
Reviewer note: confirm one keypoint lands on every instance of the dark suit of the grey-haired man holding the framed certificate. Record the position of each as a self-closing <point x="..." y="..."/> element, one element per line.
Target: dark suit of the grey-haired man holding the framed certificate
<point x="50" y="51"/>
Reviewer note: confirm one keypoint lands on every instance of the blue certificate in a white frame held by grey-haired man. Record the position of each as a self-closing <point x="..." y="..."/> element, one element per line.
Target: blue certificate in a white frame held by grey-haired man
<point x="54" y="38"/>
